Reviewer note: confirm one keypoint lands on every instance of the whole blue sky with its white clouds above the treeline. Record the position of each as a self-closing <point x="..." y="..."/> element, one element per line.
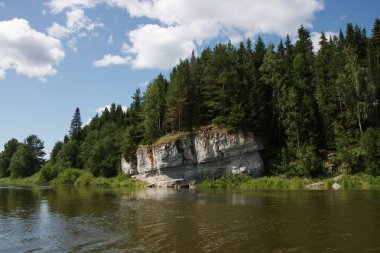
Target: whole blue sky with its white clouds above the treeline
<point x="56" y="55"/>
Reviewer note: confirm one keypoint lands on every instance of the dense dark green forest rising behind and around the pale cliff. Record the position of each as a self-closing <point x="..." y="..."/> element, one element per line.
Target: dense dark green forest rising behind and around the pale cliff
<point x="318" y="112"/>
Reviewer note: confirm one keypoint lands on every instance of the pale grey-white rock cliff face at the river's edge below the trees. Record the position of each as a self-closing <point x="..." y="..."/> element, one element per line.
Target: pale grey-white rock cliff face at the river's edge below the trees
<point x="208" y="153"/>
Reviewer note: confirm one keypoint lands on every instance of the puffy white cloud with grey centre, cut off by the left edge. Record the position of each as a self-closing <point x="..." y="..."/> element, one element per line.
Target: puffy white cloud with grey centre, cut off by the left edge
<point x="27" y="51"/>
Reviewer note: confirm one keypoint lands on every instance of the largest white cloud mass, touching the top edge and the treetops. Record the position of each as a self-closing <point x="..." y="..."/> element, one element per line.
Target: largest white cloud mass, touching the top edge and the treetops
<point x="178" y="27"/>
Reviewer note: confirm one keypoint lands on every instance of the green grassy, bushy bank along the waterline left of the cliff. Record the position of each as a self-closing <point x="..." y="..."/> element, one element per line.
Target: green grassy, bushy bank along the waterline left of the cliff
<point x="75" y="177"/>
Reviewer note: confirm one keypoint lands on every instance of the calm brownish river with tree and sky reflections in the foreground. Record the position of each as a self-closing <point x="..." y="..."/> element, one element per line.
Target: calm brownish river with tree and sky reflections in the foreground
<point x="47" y="219"/>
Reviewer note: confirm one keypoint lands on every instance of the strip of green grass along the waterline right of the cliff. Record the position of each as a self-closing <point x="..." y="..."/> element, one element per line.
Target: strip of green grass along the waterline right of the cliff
<point x="358" y="182"/>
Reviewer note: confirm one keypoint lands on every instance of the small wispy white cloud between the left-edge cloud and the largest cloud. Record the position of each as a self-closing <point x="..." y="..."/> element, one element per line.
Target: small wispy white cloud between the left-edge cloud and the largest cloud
<point x="76" y="22"/>
